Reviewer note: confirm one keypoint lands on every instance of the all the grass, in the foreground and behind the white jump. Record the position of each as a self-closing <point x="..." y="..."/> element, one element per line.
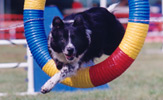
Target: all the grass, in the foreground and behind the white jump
<point x="142" y="81"/>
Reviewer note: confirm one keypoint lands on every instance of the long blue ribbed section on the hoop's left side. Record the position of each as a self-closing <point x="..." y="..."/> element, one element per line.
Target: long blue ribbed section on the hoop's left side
<point x="35" y="36"/>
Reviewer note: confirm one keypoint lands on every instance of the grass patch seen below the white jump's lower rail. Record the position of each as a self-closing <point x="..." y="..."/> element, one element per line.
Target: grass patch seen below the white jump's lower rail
<point x="13" y="80"/>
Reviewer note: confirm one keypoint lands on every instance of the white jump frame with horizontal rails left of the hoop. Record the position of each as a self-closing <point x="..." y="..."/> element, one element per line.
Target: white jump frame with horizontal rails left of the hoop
<point x="28" y="64"/>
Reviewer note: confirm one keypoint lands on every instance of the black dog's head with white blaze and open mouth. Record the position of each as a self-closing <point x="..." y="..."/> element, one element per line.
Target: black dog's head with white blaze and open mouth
<point x="70" y="37"/>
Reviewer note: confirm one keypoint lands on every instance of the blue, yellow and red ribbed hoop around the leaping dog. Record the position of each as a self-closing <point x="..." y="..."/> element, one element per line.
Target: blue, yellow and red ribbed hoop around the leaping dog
<point x="103" y="72"/>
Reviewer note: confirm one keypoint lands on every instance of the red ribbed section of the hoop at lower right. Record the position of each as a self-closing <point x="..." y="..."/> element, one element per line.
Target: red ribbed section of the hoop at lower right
<point x="111" y="68"/>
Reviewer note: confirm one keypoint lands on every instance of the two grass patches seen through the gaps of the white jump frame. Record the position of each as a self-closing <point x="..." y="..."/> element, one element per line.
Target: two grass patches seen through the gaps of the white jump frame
<point x="13" y="80"/>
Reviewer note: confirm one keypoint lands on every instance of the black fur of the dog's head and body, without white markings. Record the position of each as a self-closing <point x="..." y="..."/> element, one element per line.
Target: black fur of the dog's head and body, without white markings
<point x="106" y="33"/>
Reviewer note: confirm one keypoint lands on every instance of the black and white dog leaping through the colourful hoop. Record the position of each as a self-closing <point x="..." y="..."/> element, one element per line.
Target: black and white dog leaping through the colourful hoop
<point x="79" y="38"/>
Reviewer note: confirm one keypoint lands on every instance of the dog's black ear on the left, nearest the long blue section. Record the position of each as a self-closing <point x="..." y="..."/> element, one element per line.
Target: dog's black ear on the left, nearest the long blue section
<point x="57" y="22"/>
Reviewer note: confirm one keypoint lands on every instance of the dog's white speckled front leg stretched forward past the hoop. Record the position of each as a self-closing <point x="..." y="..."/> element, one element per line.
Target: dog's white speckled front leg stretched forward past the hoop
<point x="48" y="86"/>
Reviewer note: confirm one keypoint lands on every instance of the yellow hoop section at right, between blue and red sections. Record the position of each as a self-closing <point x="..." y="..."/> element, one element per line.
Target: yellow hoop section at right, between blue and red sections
<point x="134" y="39"/>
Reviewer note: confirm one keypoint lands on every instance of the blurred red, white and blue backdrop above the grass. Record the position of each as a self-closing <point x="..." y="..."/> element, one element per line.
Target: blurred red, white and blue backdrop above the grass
<point x="11" y="13"/>
